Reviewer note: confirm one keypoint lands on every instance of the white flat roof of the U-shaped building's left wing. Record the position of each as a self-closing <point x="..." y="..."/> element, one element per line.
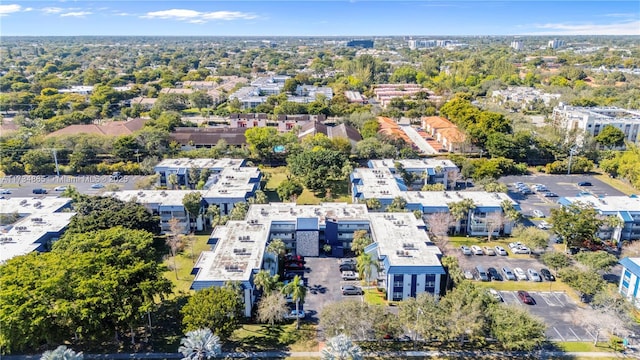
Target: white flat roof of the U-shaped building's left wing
<point x="238" y="252"/>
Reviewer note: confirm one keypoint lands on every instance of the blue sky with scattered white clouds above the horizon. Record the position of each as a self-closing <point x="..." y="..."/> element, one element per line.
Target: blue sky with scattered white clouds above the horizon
<point x="321" y="18"/>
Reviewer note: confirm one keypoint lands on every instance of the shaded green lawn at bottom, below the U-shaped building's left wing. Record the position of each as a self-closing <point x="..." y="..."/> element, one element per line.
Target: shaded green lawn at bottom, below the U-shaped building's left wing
<point x="259" y="337"/>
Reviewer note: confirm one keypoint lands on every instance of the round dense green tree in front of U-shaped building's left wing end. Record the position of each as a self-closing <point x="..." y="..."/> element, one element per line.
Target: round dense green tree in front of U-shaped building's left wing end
<point x="217" y="308"/>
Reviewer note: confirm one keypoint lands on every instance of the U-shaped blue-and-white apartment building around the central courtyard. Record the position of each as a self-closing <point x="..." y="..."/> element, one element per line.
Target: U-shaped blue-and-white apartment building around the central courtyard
<point x="409" y="261"/>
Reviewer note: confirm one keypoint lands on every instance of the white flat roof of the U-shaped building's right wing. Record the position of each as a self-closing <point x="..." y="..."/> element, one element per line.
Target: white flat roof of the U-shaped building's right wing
<point x="401" y="241"/>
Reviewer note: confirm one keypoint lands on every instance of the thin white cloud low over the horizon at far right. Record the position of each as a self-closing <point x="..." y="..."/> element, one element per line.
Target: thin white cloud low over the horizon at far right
<point x="621" y="28"/>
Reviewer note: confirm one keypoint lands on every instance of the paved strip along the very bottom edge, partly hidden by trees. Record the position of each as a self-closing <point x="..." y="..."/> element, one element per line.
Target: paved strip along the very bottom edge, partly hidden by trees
<point x="402" y="354"/>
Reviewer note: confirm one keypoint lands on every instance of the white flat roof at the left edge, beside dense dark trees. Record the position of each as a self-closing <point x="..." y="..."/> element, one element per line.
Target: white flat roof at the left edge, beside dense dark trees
<point x="40" y="216"/>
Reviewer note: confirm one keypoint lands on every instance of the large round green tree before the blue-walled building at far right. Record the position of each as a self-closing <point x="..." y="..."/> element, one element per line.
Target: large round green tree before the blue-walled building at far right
<point x="575" y="224"/>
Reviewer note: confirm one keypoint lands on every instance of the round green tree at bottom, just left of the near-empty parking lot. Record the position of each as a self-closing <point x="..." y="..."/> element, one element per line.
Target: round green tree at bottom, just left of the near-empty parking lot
<point x="516" y="329"/>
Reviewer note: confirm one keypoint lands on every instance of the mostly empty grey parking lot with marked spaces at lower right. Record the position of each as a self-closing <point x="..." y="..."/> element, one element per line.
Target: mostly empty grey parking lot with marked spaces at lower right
<point x="558" y="311"/>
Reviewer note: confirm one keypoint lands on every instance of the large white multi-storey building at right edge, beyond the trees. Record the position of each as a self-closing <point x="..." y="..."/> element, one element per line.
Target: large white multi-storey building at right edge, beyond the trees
<point x="591" y="120"/>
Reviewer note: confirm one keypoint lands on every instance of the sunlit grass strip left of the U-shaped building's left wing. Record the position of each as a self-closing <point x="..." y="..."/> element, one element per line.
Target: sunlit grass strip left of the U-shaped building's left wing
<point x="184" y="264"/>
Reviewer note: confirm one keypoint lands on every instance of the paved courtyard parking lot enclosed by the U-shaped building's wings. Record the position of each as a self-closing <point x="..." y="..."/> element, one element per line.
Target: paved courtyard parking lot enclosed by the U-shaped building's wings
<point x="323" y="281"/>
